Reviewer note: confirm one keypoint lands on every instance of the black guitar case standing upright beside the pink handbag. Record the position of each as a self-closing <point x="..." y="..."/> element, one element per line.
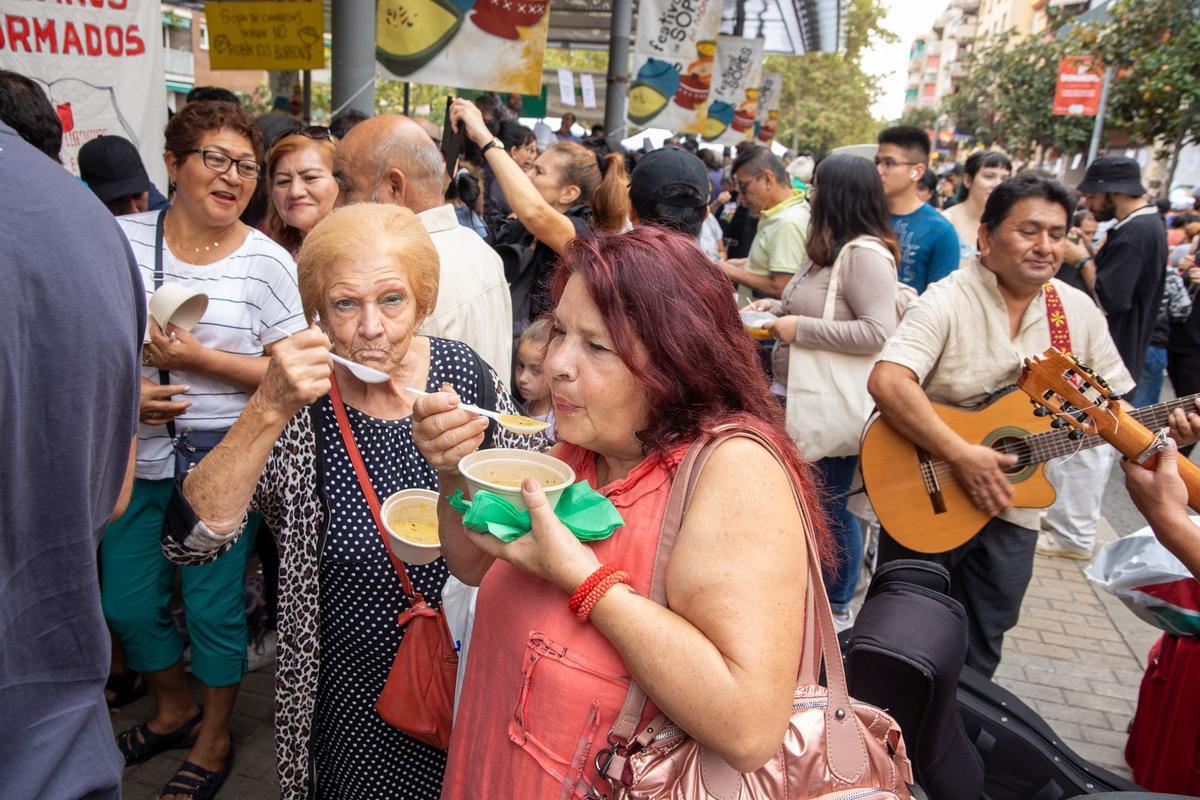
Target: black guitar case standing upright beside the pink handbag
<point x="904" y="654"/>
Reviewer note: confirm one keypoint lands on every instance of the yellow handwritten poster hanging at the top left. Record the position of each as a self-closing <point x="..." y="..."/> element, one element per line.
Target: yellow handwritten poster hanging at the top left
<point x="277" y="35"/>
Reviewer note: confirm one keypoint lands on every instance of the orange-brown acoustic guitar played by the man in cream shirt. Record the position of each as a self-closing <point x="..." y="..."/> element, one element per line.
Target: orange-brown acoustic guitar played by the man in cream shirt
<point x="917" y="496"/>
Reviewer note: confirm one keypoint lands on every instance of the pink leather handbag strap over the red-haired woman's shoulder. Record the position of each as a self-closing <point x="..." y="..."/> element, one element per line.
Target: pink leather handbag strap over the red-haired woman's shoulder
<point x="845" y="747"/>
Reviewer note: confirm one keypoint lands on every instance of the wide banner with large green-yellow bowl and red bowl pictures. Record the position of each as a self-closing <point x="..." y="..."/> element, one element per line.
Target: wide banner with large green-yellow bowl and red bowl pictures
<point x="487" y="45"/>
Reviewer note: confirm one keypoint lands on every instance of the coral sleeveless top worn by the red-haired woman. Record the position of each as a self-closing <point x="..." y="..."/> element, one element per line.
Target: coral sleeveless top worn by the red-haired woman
<point x="542" y="689"/>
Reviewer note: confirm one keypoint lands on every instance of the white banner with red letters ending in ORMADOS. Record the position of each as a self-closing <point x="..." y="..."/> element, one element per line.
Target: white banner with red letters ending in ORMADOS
<point x="101" y="67"/>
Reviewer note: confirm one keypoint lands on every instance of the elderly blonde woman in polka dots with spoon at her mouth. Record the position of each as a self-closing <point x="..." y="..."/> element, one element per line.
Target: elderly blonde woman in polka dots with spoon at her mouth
<point x="369" y="276"/>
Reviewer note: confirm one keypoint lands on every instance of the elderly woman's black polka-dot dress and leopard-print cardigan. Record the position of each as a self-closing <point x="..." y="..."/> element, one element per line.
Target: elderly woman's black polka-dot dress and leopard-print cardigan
<point x="297" y="498"/>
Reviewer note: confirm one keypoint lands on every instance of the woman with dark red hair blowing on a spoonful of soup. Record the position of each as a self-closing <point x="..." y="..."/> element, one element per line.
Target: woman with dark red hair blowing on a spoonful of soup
<point x="647" y="357"/>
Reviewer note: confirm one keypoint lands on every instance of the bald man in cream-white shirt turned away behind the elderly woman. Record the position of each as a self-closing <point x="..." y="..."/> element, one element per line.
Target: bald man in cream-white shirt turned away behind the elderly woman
<point x="392" y="160"/>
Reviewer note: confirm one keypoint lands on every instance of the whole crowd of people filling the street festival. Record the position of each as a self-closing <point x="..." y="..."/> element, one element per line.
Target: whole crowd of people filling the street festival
<point x="547" y="274"/>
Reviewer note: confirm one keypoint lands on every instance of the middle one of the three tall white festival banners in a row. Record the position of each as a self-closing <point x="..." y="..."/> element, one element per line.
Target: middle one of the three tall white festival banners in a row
<point x="737" y="82"/>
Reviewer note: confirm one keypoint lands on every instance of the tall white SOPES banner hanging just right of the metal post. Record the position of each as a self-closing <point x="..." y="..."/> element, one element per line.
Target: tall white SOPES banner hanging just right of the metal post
<point x="674" y="58"/>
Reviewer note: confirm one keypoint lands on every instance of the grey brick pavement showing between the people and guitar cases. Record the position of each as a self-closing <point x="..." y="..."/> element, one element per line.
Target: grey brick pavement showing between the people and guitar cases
<point x="1077" y="658"/>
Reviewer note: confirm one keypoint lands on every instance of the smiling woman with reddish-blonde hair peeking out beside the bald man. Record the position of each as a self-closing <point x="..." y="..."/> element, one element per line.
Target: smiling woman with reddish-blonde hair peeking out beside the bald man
<point x="301" y="179"/>
